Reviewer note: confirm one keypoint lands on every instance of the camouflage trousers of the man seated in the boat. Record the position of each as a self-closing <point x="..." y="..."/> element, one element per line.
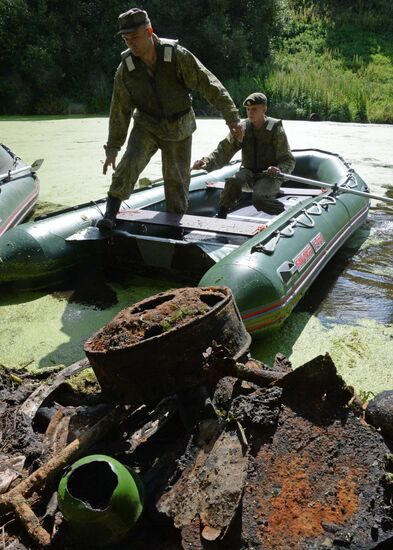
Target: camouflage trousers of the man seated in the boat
<point x="264" y="191"/>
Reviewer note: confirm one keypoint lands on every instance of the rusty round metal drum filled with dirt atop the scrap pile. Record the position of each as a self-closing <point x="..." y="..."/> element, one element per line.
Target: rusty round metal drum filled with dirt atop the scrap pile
<point x="155" y="347"/>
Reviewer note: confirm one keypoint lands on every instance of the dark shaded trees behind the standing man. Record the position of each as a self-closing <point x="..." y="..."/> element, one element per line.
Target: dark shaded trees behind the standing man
<point x="55" y="53"/>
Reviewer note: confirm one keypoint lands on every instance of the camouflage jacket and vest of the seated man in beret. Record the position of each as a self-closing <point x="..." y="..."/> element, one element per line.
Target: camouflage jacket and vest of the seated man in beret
<point x="261" y="148"/>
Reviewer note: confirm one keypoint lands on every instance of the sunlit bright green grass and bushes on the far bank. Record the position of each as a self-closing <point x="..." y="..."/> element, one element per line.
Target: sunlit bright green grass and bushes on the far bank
<point x="351" y="82"/>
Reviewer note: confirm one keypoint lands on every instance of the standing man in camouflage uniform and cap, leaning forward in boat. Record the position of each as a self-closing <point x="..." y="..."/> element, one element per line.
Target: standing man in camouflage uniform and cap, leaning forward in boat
<point x="152" y="84"/>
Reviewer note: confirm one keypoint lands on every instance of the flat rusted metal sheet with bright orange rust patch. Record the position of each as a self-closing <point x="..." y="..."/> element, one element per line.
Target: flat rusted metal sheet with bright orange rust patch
<point x="317" y="485"/>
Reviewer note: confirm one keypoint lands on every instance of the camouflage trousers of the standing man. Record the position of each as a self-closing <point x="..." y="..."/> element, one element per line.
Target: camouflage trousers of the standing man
<point x="176" y="160"/>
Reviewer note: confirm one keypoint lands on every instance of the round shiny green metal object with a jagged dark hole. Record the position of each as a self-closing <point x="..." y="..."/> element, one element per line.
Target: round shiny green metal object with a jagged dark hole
<point x="101" y="499"/>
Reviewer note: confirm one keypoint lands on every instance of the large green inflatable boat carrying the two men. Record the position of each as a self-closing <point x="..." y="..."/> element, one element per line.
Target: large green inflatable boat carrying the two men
<point x="267" y="261"/>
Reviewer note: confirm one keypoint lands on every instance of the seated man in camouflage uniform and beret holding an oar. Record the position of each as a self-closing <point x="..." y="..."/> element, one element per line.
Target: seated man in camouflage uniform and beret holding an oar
<point x="265" y="153"/>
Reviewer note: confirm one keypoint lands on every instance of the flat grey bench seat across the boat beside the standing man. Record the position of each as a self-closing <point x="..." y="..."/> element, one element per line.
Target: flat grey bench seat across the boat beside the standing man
<point x="187" y="221"/>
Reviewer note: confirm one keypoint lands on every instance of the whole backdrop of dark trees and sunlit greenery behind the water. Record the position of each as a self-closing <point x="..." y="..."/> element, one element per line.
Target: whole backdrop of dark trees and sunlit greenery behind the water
<point x="334" y="57"/>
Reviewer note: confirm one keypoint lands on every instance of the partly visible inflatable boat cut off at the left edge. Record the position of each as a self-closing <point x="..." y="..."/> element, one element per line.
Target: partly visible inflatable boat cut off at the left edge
<point x="18" y="189"/>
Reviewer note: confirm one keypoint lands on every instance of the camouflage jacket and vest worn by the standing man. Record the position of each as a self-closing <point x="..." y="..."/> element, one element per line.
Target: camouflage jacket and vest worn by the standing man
<point x="138" y="95"/>
